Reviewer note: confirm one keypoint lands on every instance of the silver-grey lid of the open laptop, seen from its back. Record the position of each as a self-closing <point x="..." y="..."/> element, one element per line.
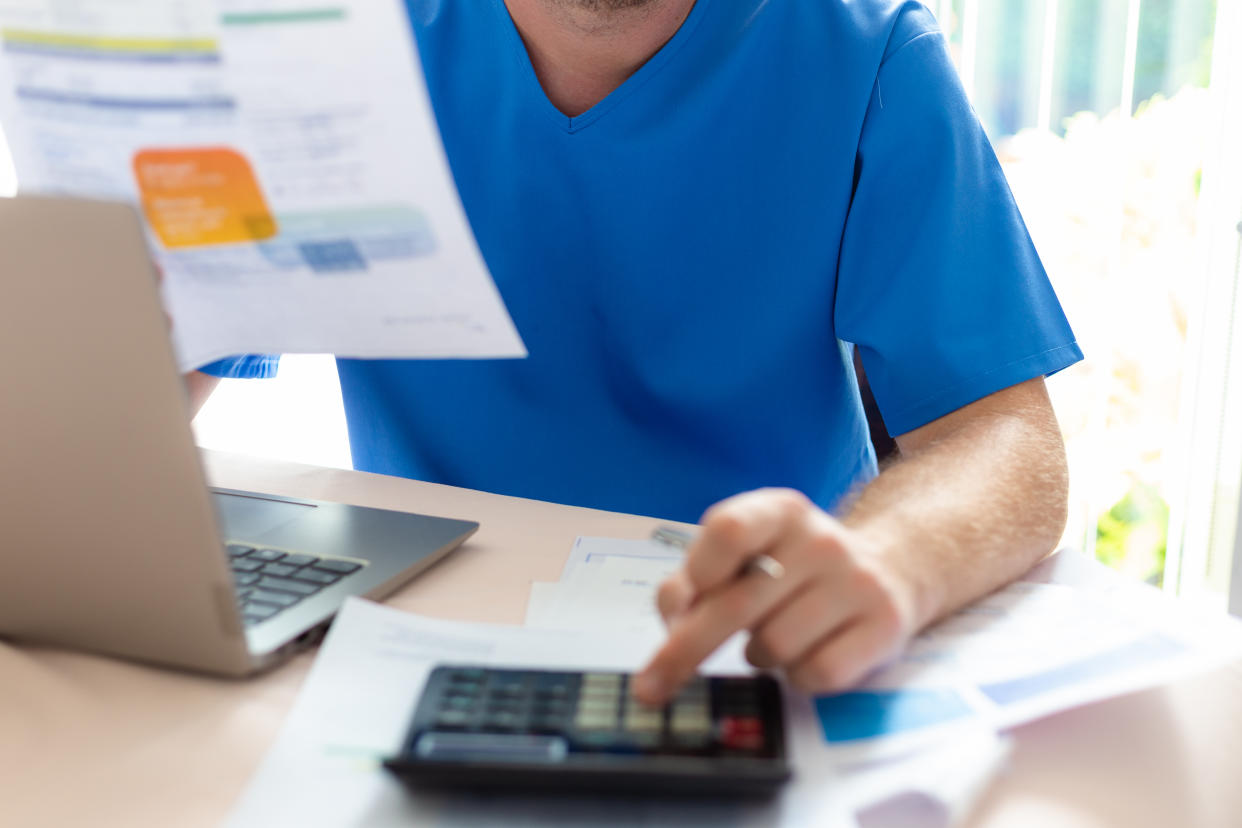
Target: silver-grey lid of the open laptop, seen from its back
<point x="110" y="541"/>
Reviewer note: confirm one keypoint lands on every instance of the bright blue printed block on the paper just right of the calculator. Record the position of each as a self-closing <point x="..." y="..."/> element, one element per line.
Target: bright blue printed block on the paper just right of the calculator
<point x="868" y="714"/>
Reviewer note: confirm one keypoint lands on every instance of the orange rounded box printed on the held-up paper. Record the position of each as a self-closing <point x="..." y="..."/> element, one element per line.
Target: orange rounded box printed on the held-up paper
<point x="202" y="197"/>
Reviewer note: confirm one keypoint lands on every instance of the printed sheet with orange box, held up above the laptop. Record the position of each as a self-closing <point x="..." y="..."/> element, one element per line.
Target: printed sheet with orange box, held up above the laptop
<point x="285" y="157"/>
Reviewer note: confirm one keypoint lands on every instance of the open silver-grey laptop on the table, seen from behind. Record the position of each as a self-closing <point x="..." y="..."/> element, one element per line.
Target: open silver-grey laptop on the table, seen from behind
<point x="111" y="539"/>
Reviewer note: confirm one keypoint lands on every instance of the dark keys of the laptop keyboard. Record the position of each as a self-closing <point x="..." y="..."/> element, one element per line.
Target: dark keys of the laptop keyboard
<point x="270" y="582"/>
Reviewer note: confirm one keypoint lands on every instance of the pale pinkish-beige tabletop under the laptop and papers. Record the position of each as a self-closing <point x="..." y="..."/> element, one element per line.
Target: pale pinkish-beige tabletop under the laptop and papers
<point x="94" y="742"/>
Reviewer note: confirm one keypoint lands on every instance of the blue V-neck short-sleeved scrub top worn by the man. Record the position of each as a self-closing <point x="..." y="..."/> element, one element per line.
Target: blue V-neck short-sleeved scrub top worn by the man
<point x="692" y="261"/>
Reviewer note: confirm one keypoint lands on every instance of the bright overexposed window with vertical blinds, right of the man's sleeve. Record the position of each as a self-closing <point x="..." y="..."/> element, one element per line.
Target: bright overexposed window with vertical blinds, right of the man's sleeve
<point x="1108" y="117"/>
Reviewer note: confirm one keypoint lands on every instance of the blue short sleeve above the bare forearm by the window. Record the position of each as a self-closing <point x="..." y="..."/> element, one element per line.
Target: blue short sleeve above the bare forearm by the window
<point x="940" y="285"/>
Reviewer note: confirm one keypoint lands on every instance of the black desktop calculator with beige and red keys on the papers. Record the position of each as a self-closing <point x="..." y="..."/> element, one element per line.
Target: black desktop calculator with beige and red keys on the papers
<point x="568" y="732"/>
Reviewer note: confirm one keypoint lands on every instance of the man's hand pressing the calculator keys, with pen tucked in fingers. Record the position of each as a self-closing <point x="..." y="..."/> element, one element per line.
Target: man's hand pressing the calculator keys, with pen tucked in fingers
<point x="838" y="610"/>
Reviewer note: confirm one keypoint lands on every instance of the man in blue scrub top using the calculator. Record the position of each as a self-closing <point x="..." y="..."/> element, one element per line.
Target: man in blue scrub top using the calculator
<point x="690" y="208"/>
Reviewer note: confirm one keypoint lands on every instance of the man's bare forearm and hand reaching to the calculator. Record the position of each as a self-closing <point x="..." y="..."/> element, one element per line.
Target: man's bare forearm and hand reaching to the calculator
<point x="977" y="498"/>
